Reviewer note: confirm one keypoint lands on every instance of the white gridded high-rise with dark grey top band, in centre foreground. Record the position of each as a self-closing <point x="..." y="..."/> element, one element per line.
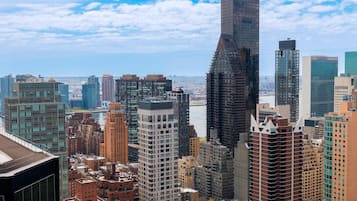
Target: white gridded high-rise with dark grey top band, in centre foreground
<point x="158" y="151"/>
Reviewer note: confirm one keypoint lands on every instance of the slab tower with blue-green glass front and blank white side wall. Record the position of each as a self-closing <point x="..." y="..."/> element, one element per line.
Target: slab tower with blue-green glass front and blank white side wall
<point x="318" y="74"/>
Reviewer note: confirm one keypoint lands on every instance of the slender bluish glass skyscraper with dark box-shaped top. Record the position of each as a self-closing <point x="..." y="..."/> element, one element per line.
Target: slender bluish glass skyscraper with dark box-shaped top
<point x="287" y="77"/>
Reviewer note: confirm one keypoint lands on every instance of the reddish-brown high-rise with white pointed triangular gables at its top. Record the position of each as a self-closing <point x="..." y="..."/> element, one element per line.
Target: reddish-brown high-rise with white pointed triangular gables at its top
<point x="275" y="160"/>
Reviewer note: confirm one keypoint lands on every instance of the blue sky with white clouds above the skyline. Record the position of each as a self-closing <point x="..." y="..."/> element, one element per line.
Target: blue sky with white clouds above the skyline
<point x="172" y="37"/>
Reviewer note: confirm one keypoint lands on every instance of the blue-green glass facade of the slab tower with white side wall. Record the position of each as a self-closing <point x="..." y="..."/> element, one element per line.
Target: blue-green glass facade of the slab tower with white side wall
<point x="323" y="73"/>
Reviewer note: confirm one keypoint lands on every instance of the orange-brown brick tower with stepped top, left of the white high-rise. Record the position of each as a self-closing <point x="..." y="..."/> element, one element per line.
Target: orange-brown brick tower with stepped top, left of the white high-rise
<point x="115" y="146"/>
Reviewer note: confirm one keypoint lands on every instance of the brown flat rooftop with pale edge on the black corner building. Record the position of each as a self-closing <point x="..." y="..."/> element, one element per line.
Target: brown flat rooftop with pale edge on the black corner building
<point x="17" y="155"/>
